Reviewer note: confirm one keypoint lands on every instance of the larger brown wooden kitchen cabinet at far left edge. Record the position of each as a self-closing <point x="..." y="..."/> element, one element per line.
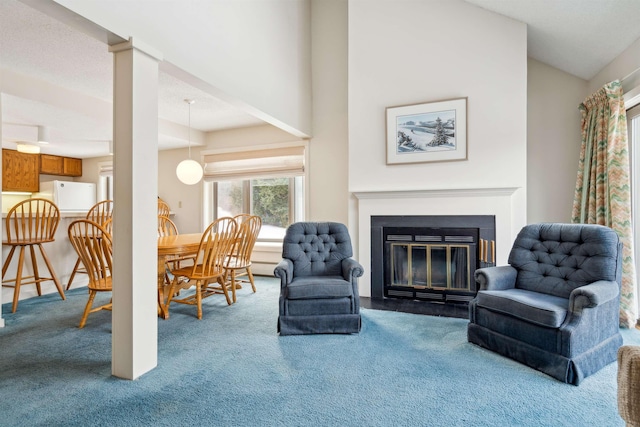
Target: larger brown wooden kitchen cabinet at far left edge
<point x="20" y="171"/>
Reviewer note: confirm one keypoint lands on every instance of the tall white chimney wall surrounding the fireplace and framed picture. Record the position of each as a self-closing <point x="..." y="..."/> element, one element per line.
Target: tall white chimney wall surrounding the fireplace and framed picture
<point x="413" y="52"/>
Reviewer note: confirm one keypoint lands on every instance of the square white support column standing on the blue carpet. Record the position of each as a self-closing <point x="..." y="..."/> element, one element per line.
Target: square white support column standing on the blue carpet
<point x="135" y="136"/>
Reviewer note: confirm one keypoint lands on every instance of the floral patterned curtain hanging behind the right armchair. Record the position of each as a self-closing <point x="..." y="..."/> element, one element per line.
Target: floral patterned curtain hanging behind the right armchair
<point x="603" y="187"/>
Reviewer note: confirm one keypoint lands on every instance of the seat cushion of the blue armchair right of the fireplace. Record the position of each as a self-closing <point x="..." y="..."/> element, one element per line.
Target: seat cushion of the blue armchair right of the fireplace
<point x="534" y="307"/>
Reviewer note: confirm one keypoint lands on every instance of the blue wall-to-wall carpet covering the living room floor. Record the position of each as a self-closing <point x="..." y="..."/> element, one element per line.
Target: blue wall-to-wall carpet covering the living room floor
<point x="232" y="369"/>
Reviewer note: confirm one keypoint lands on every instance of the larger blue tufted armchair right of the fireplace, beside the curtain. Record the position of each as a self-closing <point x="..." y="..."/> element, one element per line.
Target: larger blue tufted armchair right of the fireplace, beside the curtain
<point x="555" y="306"/>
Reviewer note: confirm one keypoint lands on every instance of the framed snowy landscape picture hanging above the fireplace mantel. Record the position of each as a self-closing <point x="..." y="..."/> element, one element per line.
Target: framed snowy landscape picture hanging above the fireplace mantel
<point x="429" y="132"/>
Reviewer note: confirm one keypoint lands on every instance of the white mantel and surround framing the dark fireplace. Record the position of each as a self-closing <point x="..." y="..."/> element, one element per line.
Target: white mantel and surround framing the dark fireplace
<point x="507" y="204"/>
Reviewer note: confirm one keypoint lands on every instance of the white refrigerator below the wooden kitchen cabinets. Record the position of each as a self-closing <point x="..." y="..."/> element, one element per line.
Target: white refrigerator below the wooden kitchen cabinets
<point x="69" y="196"/>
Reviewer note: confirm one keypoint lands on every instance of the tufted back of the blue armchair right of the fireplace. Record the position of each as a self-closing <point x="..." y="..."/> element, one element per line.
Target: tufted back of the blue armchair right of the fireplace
<point x="557" y="258"/>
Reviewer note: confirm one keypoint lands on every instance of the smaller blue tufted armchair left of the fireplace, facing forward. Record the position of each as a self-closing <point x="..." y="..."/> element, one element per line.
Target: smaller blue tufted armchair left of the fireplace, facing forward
<point x="319" y="280"/>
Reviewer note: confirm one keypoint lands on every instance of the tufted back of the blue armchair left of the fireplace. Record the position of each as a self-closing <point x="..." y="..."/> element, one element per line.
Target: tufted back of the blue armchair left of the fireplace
<point x="317" y="248"/>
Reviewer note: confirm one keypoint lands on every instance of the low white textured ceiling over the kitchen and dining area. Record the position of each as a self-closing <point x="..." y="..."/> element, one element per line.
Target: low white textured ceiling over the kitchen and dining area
<point x="42" y="49"/>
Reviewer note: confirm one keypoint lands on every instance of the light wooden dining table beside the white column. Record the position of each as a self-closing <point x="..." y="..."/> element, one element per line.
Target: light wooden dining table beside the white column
<point x="176" y="245"/>
